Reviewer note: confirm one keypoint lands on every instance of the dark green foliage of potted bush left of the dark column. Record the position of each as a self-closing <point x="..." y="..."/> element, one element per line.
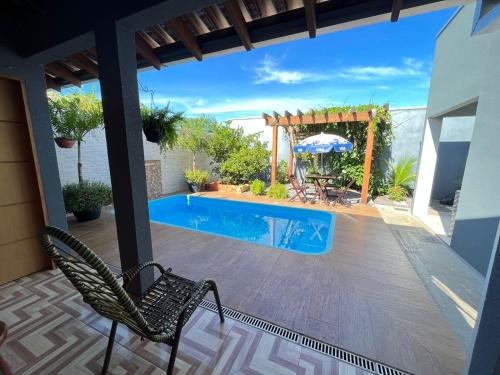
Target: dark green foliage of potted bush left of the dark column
<point x="86" y="196"/>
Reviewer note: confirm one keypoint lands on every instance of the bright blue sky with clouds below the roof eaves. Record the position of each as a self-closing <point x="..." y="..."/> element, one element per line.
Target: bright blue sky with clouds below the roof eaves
<point x="381" y="63"/>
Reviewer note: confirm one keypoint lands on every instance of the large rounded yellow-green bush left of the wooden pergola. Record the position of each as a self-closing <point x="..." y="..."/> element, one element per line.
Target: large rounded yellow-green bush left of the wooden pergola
<point x="245" y="165"/>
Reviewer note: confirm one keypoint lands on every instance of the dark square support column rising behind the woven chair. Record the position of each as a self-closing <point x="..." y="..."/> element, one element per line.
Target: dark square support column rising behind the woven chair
<point x="118" y="77"/>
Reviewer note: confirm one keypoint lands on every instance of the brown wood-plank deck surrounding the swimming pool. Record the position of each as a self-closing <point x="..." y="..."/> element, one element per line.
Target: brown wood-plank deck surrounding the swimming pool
<point x="363" y="296"/>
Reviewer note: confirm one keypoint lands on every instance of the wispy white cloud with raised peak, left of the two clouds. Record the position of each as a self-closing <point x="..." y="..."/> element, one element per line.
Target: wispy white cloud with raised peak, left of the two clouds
<point x="269" y="71"/>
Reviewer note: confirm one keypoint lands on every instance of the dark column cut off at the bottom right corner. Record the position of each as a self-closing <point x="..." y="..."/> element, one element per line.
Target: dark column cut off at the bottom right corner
<point x="484" y="356"/>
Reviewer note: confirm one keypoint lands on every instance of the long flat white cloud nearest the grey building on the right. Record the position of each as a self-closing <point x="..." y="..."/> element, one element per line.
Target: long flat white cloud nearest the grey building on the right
<point x="409" y="68"/>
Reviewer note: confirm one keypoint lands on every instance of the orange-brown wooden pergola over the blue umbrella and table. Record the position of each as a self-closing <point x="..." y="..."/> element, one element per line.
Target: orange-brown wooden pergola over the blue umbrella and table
<point x="318" y="118"/>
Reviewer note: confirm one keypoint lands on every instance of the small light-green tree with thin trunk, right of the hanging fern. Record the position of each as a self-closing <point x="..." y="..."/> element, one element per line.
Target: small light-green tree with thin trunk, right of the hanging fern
<point x="192" y="135"/>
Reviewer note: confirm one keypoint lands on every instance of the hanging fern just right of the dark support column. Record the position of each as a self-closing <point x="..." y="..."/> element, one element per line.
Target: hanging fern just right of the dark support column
<point x="160" y="125"/>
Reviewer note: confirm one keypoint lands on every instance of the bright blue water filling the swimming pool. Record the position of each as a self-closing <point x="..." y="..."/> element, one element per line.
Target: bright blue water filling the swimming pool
<point x="287" y="228"/>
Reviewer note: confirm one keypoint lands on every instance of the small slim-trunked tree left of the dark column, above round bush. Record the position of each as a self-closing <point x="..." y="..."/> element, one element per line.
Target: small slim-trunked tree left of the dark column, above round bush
<point x="74" y="116"/>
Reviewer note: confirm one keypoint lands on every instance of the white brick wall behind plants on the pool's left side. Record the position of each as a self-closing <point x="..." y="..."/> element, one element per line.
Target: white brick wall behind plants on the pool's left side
<point x="95" y="162"/>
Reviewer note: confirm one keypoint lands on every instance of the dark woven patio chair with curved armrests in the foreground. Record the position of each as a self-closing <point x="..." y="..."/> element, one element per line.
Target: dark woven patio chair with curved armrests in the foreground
<point x="158" y="315"/>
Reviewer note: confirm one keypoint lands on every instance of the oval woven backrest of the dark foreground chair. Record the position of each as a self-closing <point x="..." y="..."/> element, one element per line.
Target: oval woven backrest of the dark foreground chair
<point x="93" y="279"/>
